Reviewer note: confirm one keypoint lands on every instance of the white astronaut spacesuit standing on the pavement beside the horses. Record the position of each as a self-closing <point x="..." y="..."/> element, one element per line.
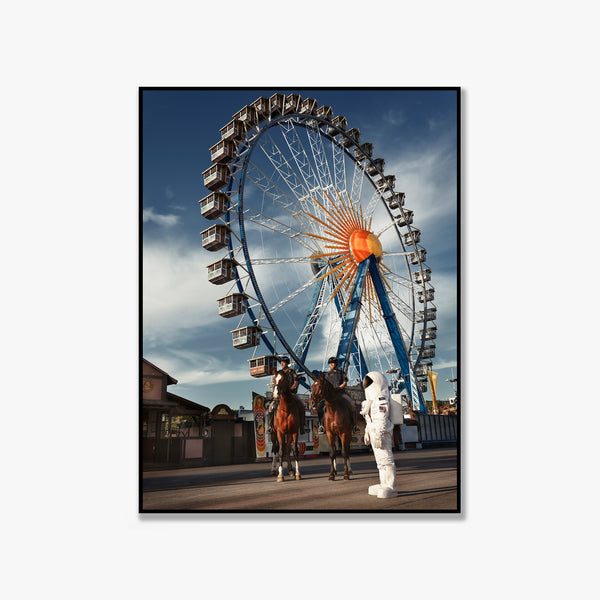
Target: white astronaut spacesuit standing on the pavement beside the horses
<point x="378" y="432"/>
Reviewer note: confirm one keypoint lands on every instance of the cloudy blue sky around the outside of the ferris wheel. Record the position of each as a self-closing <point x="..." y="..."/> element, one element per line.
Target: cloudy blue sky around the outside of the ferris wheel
<point x="414" y="131"/>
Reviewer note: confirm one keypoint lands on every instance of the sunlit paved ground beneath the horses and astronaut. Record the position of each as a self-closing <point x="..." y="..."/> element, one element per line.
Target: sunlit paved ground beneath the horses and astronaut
<point x="426" y="479"/>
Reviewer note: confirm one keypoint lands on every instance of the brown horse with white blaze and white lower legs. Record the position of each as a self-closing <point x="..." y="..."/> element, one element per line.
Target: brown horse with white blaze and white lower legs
<point x="287" y="422"/>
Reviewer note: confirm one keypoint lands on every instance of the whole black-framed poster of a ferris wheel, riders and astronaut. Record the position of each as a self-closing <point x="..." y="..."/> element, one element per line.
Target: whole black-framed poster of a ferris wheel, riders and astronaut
<point x="320" y="226"/>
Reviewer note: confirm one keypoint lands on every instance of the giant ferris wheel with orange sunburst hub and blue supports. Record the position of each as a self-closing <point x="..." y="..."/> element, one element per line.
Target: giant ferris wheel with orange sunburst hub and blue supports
<point x="322" y="258"/>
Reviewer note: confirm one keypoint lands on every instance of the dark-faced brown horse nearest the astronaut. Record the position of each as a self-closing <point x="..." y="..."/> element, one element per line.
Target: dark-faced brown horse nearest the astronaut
<point x="338" y="421"/>
